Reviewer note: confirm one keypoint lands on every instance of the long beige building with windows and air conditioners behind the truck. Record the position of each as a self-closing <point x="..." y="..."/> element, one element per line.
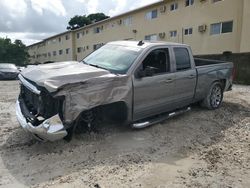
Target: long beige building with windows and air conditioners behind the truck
<point x="208" y="26"/>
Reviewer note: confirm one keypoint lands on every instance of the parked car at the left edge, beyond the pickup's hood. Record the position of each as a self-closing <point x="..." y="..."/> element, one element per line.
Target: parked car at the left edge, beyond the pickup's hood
<point x="8" y="71"/>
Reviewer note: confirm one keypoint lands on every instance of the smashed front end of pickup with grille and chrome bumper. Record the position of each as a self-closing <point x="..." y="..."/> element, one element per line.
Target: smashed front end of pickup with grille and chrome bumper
<point x="38" y="112"/>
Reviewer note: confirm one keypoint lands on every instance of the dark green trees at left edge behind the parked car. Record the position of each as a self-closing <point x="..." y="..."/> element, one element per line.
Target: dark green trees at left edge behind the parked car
<point x="15" y="53"/>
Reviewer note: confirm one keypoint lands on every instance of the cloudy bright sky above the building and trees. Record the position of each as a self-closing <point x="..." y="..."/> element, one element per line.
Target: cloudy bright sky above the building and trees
<point x="34" y="20"/>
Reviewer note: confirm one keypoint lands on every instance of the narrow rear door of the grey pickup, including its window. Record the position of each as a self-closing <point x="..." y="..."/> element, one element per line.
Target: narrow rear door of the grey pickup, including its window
<point x="185" y="77"/>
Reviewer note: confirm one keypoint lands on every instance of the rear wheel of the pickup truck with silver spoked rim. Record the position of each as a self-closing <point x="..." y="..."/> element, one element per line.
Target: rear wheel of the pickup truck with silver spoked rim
<point x="214" y="97"/>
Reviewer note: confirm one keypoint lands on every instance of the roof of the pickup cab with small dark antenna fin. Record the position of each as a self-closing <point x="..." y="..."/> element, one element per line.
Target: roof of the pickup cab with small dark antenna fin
<point x="145" y="43"/>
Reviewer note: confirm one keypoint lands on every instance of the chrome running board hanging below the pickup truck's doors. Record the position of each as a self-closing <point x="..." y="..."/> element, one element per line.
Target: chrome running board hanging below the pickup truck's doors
<point x="141" y="125"/>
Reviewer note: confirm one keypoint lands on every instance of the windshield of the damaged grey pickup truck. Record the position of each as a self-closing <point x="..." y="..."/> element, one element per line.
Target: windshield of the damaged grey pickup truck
<point x="117" y="59"/>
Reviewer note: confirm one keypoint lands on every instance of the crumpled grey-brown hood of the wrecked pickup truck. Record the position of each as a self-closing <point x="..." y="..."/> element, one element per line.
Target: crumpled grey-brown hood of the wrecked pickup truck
<point x="55" y="75"/>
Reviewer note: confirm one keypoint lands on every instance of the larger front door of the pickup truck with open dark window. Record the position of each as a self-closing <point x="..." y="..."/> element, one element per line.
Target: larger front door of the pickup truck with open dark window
<point x="154" y="88"/>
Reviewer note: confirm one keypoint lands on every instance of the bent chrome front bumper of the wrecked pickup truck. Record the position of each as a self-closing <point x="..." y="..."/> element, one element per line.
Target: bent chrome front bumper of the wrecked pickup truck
<point x="51" y="129"/>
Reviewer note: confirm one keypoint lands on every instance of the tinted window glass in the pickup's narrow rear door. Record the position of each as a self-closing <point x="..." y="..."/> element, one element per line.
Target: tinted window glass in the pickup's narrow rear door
<point x="182" y="59"/>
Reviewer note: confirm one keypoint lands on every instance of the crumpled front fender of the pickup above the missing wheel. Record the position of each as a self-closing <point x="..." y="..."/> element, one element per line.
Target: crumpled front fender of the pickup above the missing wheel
<point x="91" y="93"/>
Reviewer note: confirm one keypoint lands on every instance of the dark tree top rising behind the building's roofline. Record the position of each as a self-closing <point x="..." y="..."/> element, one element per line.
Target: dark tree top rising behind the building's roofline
<point x="80" y="21"/>
